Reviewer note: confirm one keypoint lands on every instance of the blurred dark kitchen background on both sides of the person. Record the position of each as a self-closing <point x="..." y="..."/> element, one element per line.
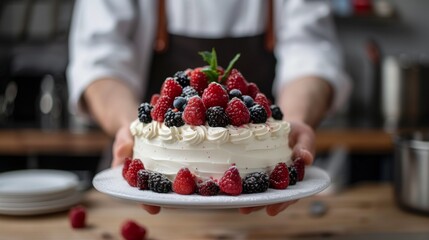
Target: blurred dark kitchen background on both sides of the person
<point x="386" y="47"/>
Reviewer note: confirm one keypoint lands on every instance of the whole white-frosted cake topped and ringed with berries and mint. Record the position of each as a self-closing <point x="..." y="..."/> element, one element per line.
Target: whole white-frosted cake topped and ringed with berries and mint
<point x="209" y="128"/>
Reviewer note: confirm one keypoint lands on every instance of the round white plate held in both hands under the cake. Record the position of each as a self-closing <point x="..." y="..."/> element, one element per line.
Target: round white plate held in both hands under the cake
<point x="111" y="182"/>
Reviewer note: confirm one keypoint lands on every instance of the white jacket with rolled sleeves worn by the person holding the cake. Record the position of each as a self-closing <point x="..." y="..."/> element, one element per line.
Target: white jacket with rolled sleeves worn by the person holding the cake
<point x="107" y="39"/>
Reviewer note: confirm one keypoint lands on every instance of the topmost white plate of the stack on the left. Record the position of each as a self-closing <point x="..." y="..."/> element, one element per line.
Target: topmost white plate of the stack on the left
<point x="36" y="183"/>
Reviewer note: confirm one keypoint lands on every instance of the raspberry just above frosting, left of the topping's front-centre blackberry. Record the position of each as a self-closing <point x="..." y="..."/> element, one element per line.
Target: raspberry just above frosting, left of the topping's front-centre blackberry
<point x="195" y="112"/>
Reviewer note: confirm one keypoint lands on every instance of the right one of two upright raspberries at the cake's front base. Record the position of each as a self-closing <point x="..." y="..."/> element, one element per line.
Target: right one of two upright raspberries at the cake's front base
<point x="231" y="183"/>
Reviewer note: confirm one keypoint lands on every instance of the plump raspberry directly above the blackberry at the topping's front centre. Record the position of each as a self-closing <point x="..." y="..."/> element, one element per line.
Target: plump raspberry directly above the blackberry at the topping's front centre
<point x="215" y="95"/>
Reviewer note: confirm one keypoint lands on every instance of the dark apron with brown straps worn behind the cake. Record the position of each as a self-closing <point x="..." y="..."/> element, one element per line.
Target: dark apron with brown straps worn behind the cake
<point x="257" y="62"/>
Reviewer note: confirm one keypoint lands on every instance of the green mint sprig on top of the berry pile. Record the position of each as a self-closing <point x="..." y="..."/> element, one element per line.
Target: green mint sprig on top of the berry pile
<point x="211" y="70"/>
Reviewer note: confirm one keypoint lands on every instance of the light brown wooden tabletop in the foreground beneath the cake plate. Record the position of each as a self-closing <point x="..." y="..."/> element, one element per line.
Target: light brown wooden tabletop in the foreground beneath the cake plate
<point x="363" y="212"/>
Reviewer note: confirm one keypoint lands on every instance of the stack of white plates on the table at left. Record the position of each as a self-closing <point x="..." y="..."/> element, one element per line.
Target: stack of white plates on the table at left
<point x="37" y="191"/>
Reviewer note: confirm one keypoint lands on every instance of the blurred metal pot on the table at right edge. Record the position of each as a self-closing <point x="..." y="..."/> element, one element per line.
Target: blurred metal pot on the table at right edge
<point x="412" y="171"/>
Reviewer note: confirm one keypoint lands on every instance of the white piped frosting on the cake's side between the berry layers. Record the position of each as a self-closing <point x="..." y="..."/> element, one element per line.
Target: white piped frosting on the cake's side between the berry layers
<point x="209" y="151"/>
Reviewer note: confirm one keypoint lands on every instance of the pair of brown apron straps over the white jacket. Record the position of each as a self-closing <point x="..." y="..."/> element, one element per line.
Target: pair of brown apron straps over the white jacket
<point x="161" y="41"/>
